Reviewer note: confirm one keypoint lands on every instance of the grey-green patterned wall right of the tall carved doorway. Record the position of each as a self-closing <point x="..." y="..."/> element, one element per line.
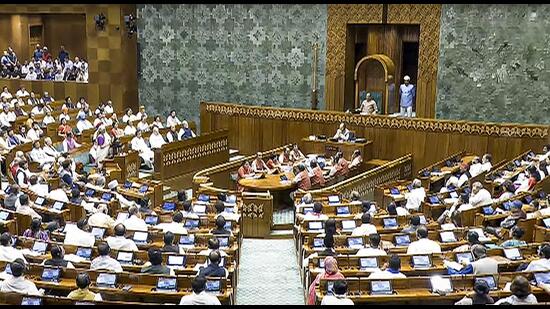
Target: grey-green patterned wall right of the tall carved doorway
<point x="494" y="63"/>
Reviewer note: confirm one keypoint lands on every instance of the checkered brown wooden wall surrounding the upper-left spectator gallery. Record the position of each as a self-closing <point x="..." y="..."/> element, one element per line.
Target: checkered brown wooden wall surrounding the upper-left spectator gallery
<point x="111" y="54"/>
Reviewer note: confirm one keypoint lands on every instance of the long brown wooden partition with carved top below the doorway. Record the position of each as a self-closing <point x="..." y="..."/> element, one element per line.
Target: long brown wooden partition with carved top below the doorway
<point x="426" y="139"/>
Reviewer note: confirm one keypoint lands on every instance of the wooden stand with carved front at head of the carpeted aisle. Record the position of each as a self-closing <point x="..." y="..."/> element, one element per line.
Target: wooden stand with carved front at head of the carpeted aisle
<point x="257" y="214"/>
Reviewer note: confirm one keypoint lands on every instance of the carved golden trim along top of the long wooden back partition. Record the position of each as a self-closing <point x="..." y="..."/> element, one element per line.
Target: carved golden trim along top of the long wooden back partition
<point x="417" y="124"/>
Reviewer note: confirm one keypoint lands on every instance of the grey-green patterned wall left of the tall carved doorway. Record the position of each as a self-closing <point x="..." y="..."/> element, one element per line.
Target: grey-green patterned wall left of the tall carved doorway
<point x="253" y="54"/>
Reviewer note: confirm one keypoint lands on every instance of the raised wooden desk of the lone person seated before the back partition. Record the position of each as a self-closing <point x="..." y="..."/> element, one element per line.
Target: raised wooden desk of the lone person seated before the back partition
<point x="329" y="148"/>
